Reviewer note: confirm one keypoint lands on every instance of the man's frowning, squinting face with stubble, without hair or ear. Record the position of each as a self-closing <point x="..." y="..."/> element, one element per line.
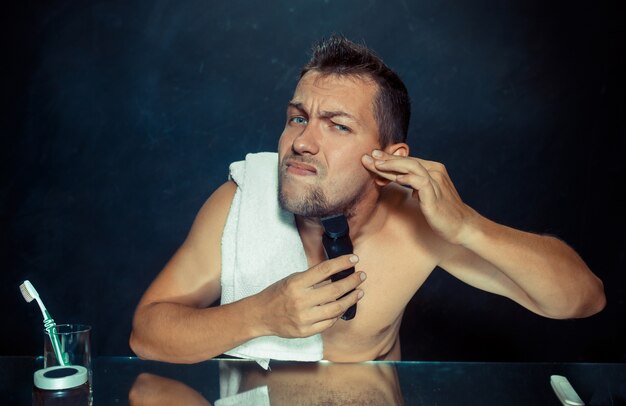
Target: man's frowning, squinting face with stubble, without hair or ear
<point x="330" y="125"/>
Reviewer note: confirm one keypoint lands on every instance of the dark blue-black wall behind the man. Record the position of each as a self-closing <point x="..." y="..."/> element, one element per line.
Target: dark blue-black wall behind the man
<point x="120" y="118"/>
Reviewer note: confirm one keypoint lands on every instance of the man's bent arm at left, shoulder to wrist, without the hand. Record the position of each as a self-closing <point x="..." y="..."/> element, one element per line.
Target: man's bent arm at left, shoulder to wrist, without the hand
<point x="172" y="321"/>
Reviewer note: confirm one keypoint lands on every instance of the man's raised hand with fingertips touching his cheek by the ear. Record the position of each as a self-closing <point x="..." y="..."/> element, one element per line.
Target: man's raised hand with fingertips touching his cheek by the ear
<point x="440" y="202"/>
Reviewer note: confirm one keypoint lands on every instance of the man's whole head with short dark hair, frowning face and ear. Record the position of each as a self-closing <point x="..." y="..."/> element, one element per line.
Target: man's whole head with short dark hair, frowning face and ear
<point x="344" y="106"/>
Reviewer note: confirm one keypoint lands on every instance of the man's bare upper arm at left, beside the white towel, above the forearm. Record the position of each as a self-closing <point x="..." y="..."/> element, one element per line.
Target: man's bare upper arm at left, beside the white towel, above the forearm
<point x="192" y="276"/>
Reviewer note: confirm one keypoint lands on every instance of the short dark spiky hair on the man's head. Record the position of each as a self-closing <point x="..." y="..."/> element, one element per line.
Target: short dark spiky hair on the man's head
<point x="392" y="105"/>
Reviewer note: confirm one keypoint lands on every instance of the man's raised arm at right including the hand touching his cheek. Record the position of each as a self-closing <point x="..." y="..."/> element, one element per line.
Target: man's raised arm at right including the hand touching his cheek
<point x="539" y="272"/>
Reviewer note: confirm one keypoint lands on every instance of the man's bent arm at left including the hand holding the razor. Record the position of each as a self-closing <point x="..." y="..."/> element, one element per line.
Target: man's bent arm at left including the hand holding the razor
<point x="173" y="323"/>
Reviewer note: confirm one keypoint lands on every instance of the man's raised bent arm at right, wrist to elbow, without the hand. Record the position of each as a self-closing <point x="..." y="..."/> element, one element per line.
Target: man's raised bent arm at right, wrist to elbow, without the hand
<point x="539" y="272"/>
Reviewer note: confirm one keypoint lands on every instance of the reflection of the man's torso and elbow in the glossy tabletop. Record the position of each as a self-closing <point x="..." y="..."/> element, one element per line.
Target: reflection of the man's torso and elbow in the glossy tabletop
<point x="286" y="384"/>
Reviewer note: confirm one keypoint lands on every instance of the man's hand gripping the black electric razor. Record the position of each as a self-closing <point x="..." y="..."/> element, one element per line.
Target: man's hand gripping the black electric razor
<point x="301" y="306"/>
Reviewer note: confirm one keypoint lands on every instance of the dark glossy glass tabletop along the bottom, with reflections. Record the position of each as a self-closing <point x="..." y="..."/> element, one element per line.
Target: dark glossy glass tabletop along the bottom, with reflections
<point x="124" y="380"/>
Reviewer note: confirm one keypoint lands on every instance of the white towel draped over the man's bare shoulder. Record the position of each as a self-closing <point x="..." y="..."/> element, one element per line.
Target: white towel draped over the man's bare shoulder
<point x="260" y="246"/>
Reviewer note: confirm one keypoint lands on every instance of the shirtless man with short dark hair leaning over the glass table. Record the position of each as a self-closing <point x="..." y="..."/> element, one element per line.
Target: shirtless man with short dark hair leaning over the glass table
<point x="343" y="150"/>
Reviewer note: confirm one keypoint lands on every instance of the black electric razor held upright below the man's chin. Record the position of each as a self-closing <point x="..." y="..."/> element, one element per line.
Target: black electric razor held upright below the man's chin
<point x="336" y="241"/>
